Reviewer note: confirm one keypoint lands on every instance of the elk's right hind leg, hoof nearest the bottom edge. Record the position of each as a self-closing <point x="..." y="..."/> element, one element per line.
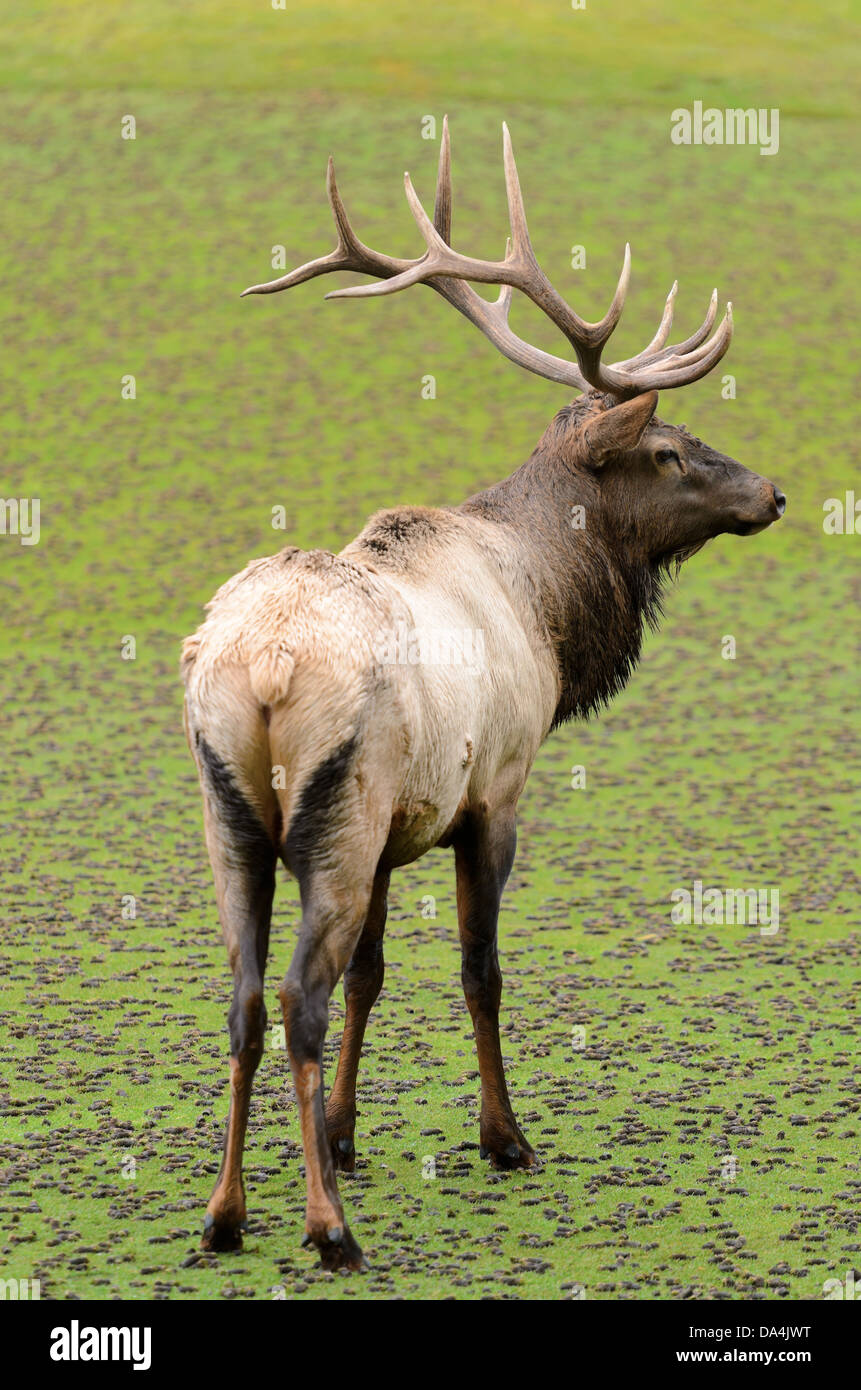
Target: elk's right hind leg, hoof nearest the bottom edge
<point x="333" y="915"/>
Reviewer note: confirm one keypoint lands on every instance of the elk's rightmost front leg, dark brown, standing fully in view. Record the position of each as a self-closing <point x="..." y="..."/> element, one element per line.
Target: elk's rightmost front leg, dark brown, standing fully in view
<point x="485" y="853"/>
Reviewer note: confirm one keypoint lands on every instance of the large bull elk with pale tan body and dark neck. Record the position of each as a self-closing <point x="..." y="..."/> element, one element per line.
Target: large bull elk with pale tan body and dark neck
<point x="319" y="750"/>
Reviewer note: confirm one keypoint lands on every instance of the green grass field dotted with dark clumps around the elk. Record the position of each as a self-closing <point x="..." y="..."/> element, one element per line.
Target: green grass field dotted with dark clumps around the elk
<point x="705" y="1142"/>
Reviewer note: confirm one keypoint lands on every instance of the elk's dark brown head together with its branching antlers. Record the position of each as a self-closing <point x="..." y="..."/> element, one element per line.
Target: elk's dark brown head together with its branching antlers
<point x="666" y="491"/>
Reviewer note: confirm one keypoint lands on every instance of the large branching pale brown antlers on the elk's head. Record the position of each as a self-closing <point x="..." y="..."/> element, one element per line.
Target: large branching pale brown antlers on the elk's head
<point x="447" y="272"/>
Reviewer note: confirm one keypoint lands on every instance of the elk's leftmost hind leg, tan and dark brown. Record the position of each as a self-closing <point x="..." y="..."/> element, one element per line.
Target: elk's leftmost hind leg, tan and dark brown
<point x="244" y="867"/>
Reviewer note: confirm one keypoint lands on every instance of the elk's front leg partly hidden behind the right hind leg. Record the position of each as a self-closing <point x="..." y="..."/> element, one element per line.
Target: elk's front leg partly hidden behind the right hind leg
<point x="362" y="985"/>
